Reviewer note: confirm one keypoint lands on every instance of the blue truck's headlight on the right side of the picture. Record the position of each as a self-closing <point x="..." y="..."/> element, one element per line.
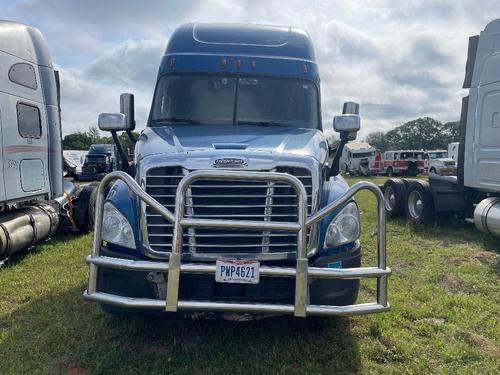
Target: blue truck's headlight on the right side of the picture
<point x="344" y="228"/>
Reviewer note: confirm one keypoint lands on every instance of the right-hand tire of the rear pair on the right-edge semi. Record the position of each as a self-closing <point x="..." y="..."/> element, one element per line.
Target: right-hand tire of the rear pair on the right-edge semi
<point x="419" y="205"/>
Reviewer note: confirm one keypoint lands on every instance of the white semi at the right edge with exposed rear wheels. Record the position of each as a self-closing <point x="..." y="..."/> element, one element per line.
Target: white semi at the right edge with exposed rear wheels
<point x="474" y="193"/>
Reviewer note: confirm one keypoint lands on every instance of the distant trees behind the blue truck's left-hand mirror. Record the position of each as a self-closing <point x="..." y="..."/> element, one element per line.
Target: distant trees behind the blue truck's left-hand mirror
<point x="83" y="140"/>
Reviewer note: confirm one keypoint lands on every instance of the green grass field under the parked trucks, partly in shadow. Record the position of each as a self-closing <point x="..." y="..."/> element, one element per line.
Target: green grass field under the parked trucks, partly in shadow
<point x="445" y="294"/>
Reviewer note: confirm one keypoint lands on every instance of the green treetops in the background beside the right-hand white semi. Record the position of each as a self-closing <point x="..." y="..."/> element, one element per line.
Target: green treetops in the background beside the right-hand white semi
<point x="421" y="134"/>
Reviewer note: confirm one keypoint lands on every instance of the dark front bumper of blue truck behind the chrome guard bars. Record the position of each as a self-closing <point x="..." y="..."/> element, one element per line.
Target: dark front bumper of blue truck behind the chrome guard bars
<point x="125" y="282"/>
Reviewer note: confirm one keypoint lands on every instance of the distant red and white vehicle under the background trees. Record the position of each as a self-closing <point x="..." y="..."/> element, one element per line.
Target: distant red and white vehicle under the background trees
<point x="400" y="162"/>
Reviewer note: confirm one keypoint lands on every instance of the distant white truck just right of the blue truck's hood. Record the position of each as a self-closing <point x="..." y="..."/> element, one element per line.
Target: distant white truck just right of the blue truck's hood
<point x="358" y="159"/>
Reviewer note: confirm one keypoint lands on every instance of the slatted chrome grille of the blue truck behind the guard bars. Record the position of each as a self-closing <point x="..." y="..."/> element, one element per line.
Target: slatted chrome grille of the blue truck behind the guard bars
<point x="232" y="200"/>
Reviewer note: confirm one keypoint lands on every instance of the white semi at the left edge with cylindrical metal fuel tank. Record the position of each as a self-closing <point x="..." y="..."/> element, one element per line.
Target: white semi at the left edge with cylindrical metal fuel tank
<point x="34" y="199"/>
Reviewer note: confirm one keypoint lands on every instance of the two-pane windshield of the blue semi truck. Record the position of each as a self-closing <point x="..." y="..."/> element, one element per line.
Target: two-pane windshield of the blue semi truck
<point x="206" y="99"/>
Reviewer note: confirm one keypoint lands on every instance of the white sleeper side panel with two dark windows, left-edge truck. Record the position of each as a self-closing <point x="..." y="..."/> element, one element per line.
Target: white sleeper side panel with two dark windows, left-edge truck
<point x="24" y="130"/>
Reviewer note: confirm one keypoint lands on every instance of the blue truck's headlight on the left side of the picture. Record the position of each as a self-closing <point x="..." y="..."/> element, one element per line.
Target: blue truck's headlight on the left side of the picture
<point x="116" y="228"/>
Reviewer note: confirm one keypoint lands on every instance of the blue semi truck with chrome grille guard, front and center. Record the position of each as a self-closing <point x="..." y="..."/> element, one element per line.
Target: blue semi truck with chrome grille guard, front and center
<point x="234" y="203"/>
